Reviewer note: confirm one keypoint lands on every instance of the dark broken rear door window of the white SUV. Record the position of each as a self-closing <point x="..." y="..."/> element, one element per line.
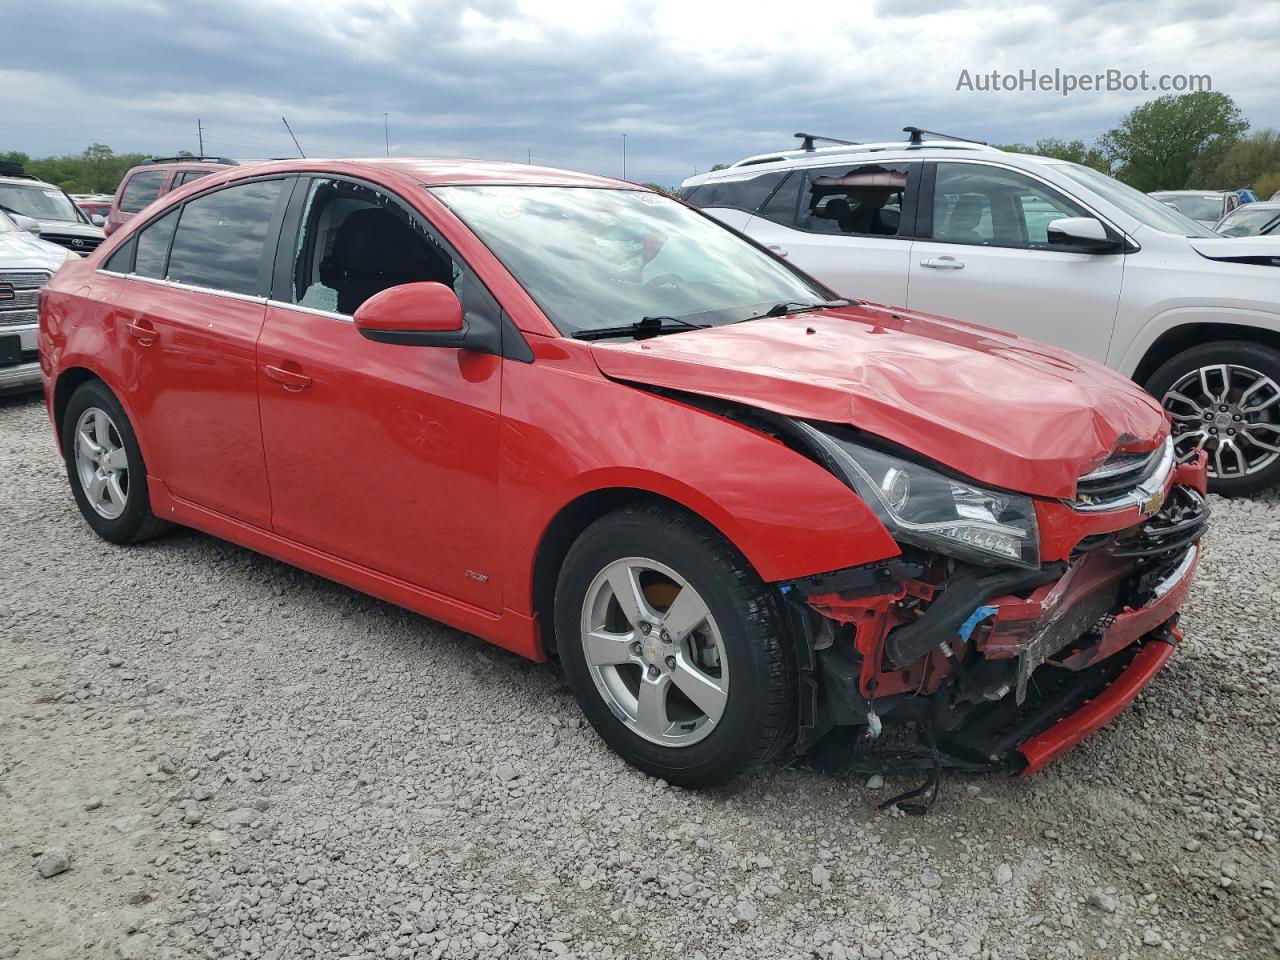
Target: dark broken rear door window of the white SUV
<point x="854" y="200"/>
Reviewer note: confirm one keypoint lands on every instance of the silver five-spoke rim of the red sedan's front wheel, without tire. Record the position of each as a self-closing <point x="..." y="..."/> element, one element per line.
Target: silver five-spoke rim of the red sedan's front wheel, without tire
<point x="655" y="652"/>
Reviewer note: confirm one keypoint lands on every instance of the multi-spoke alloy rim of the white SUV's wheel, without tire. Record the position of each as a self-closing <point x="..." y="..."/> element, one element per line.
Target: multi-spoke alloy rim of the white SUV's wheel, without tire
<point x="1231" y="412"/>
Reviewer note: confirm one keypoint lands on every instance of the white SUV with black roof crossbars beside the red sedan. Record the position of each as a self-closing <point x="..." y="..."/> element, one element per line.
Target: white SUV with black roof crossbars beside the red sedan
<point x="1040" y="248"/>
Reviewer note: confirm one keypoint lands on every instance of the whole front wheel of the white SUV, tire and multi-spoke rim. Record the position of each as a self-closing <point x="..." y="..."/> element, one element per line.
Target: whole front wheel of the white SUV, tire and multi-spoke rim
<point x="1226" y="399"/>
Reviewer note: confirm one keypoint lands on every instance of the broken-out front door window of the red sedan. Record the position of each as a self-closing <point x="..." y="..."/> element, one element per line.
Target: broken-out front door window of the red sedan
<point x="355" y="243"/>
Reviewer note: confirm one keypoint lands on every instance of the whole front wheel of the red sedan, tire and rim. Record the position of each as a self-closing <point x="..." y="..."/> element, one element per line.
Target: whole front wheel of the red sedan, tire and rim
<point x="674" y="647"/>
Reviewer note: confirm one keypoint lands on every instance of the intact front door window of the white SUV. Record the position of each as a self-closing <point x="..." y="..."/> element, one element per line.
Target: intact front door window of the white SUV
<point x="985" y="205"/>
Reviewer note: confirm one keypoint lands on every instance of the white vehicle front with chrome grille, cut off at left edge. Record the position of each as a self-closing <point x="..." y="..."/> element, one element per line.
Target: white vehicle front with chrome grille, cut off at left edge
<point x="26" y="266"/>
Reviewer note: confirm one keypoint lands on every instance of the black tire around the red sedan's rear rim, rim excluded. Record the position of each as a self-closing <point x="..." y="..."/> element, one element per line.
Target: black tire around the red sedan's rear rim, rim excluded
<point x="136" y="523"/>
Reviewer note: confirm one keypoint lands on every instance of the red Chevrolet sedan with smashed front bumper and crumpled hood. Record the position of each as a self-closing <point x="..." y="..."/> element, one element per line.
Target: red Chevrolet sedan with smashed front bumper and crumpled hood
<point x="587" y="423"/>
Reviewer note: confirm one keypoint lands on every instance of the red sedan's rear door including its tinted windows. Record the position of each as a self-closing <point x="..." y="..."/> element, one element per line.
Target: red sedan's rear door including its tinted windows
<point x="190" y="310"/>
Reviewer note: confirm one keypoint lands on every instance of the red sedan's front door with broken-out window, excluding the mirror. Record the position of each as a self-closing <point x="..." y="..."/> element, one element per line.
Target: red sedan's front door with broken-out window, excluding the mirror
<point x="381" y="455"/>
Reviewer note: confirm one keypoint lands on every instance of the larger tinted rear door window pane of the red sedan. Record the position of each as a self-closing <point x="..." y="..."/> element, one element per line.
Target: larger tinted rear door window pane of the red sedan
<point x="221" y="237"/>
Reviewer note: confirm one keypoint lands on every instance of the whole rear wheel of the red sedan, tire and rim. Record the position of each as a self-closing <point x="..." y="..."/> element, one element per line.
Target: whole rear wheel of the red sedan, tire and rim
<point x="104" y="465"/>
